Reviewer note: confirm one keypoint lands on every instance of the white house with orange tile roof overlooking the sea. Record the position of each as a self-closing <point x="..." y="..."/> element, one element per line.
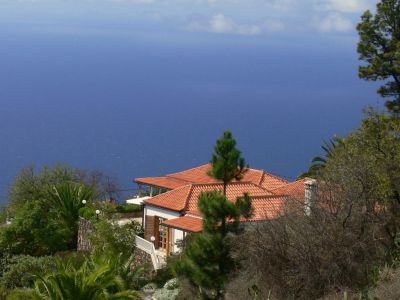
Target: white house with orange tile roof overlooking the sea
<point x="171" y="211"/>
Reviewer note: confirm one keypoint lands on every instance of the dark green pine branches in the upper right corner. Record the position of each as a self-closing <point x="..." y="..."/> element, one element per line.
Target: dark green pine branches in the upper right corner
<point x="379" y="47"/>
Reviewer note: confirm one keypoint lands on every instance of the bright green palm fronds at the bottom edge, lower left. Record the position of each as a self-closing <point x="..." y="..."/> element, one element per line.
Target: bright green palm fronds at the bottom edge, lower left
<point x="95" y="278"/>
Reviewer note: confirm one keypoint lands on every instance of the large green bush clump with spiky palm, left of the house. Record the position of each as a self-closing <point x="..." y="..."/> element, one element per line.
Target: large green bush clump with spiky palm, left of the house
<point x="36" y="209"/>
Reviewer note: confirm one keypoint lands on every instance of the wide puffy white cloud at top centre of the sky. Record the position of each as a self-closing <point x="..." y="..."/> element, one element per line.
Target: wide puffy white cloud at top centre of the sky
<point x="219" y="23"/>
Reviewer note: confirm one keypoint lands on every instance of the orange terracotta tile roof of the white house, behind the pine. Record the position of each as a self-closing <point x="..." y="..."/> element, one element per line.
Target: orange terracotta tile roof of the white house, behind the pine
<point x="267" y="191"/>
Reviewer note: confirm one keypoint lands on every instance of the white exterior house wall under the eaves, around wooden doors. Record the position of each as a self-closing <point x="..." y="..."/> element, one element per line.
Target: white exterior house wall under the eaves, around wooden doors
<point x="150" y="212"/>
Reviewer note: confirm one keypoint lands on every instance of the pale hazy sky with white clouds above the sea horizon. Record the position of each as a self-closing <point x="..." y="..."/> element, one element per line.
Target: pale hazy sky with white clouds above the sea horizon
<point x="234" y="17"/>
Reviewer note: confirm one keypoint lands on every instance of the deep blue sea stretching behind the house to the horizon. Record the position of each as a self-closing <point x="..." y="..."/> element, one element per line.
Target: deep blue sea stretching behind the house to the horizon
<point x="145" y="104"/>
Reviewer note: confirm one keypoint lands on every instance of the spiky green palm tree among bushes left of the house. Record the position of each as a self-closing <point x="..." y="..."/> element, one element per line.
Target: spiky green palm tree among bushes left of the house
<point x="67" y="199"/>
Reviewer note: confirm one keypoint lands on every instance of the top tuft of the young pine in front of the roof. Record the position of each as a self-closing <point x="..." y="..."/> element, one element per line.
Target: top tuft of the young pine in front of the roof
<point x="227" y="163"/>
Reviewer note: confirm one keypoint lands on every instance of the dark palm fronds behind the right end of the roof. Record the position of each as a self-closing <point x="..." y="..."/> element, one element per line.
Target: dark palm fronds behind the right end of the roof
<point x="318" y="163"/>
